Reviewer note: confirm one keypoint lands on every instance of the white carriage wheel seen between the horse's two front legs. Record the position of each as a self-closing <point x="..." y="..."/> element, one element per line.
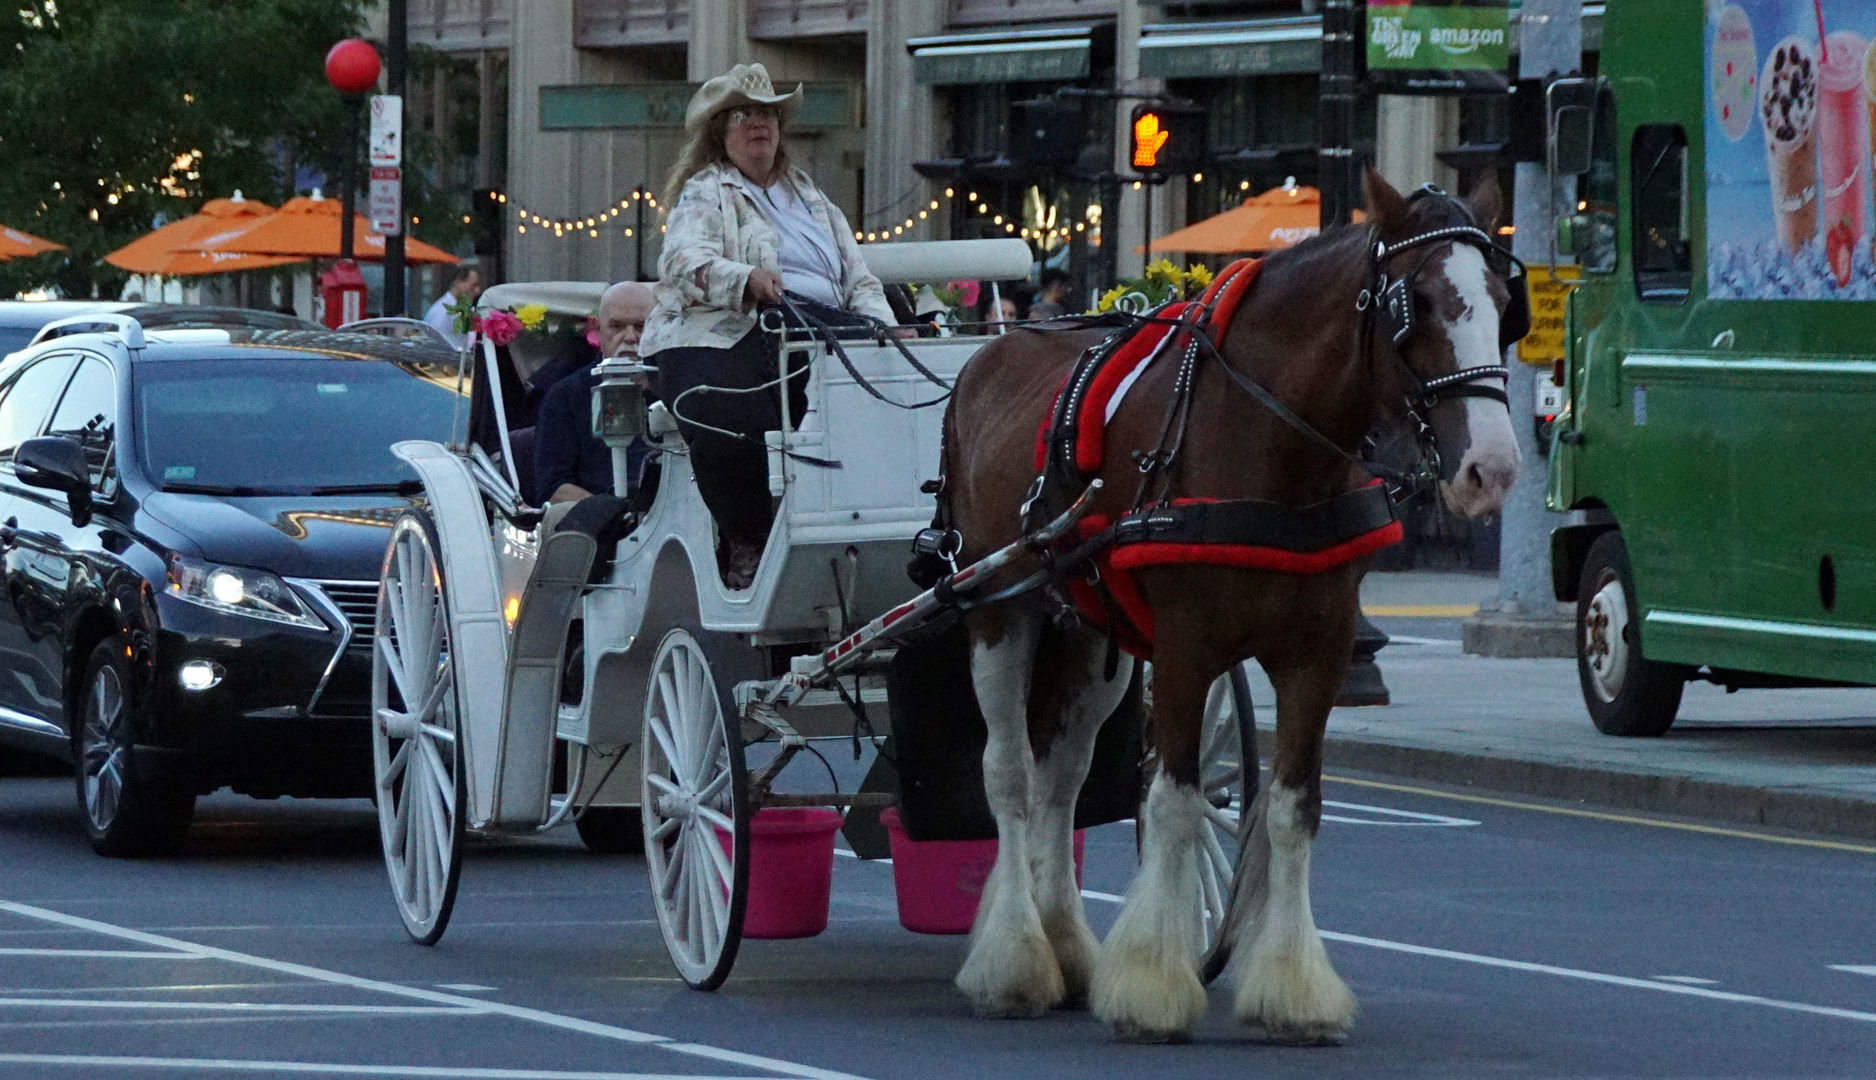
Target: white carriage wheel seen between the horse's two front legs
<point x="1230" y="779"/>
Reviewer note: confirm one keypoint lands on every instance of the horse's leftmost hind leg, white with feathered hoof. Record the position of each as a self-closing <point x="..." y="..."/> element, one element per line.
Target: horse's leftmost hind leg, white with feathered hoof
<point x="1010" y="968"/>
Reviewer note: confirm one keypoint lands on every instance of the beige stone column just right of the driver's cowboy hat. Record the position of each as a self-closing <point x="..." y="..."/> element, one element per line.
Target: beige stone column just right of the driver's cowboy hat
<point x="903" y="123"/>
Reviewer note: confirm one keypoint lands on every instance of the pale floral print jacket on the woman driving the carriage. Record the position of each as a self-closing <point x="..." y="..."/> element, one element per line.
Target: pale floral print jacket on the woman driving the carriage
<point x="716" y="237"/>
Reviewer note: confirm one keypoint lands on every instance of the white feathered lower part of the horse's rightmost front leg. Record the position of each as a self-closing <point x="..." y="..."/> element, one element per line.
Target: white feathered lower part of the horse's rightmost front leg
<point x="1284" y="976"/>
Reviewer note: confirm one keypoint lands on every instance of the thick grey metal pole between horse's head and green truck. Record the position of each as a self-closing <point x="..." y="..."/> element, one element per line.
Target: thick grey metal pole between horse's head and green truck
<point x="1524" y="620"/>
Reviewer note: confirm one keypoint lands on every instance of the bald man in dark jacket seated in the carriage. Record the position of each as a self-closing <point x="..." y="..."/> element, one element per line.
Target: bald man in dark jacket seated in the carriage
<point x="569" y="460"/>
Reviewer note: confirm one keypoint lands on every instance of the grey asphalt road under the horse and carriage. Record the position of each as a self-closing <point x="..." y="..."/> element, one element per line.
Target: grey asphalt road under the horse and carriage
<point x="1485" y="938"/>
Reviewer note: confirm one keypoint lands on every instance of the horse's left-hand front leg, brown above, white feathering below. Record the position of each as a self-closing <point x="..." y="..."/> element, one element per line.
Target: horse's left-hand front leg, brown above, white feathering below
<point x="1147" y="980"/>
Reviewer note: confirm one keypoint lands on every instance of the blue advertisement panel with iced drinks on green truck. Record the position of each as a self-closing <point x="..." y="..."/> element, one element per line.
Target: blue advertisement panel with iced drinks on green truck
<point x="1791" y="93"/>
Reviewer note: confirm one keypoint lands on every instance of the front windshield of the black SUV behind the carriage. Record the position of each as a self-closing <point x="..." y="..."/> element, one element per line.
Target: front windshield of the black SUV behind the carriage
<point x="290" y="427"/>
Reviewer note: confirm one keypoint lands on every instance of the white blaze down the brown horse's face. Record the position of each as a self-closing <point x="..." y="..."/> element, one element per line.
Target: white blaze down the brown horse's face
<point x="1490" y="464"/>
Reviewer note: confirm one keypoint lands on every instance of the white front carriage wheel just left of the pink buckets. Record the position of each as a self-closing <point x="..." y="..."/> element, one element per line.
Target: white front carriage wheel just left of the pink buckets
<point x="695" y="809"/>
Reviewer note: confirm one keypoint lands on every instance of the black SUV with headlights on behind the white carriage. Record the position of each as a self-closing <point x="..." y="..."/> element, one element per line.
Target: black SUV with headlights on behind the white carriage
<point x="190" y="528"/>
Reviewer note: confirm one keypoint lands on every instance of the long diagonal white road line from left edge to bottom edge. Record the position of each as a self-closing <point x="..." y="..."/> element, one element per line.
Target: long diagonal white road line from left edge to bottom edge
<point x="421" y="995"/>
